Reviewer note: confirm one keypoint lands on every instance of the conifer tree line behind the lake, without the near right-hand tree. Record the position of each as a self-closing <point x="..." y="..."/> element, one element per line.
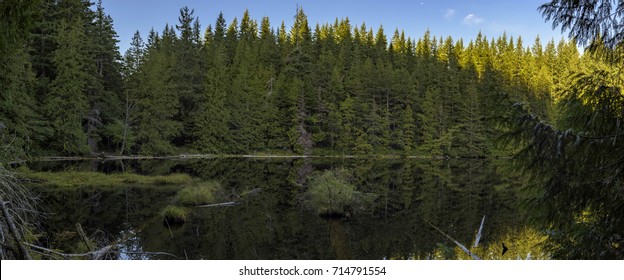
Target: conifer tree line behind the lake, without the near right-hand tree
<point x="247" y="87"/>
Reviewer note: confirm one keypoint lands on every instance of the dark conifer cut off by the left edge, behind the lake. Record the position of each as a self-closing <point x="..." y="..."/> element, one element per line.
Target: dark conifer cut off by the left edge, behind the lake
<point x="20" y="125"/>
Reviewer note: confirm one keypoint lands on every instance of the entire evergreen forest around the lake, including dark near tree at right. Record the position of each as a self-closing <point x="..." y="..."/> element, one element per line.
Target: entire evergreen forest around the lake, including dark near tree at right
<point x="332" y="89"/>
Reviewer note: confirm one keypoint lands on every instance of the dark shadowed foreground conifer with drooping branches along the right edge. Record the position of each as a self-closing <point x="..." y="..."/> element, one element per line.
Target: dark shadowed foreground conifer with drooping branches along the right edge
<point x="577" y="163"/>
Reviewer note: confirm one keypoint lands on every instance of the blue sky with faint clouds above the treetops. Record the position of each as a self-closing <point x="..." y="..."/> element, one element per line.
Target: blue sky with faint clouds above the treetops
<point x="459" y="18"/>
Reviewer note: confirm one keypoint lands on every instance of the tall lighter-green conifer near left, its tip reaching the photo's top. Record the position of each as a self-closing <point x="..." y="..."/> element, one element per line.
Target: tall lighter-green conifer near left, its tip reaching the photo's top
<point x="67" y="105"/>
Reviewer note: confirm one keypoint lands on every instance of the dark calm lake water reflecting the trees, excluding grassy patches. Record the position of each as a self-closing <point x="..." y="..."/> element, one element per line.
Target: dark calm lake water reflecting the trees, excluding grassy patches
<point x="275" y="221"/>
